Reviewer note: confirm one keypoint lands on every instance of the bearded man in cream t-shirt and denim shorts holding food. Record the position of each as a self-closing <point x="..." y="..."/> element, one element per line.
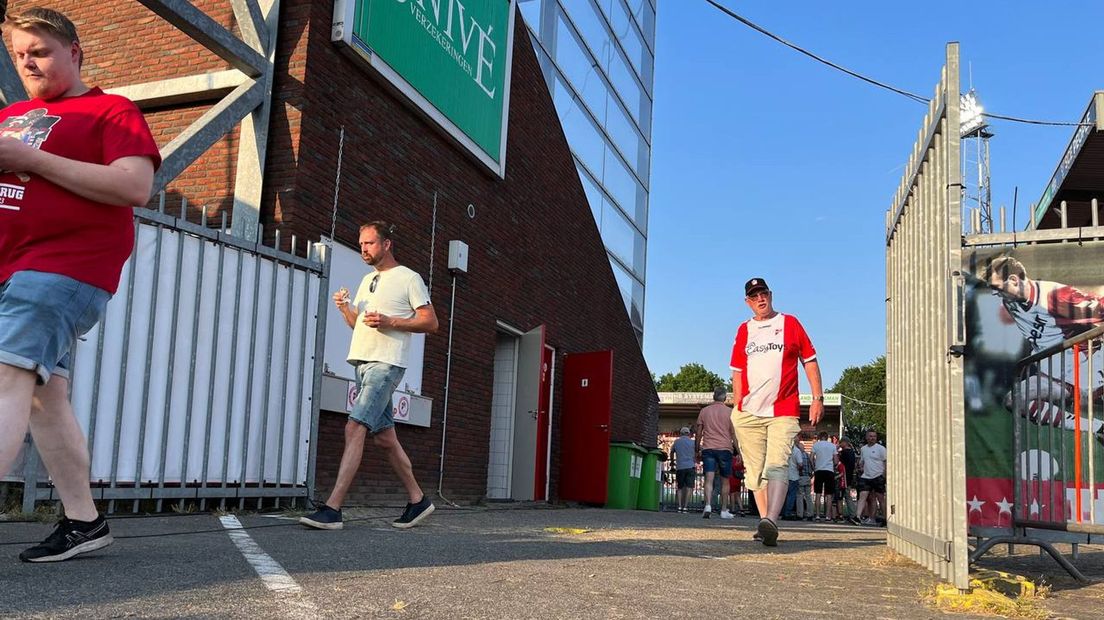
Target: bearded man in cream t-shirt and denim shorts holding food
<point x="391" y="304"/>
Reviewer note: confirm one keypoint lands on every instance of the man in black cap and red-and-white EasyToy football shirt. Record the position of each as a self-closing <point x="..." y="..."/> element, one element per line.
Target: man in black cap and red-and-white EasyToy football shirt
<point x="765" y="379"/>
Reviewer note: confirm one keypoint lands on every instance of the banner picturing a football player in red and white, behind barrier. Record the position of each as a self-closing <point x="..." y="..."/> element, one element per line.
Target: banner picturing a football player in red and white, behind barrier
<point x="1020" y="303"/>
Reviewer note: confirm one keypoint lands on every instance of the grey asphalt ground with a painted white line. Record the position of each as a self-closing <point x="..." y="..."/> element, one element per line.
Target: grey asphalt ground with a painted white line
<point x="493" y="563"/>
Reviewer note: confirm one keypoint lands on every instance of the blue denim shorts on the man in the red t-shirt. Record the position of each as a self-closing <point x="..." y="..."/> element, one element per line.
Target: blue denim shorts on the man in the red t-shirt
<point x="41" y="317"/>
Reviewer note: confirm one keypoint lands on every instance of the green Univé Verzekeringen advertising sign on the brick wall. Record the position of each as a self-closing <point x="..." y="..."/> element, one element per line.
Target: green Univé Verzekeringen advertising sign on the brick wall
<point x="451" y="58"/>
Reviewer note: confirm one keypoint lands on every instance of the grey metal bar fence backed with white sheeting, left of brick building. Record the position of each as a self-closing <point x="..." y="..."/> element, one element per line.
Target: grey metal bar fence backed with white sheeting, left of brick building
<point x="203" y="381"/>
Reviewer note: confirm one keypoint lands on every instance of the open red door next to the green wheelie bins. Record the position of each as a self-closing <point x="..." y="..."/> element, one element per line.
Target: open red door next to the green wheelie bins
<point x="588" y="405"/>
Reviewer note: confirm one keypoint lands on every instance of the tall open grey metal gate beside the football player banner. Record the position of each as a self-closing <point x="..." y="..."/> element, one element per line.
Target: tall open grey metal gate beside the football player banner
<point x="927" y="479"/>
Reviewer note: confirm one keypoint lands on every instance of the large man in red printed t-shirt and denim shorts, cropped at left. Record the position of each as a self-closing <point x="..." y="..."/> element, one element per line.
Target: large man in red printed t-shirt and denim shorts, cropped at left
<point x="73" y="162"/>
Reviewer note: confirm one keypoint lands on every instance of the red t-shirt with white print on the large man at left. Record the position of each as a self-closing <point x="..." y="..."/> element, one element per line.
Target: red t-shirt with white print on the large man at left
<point x="46" y="228"/>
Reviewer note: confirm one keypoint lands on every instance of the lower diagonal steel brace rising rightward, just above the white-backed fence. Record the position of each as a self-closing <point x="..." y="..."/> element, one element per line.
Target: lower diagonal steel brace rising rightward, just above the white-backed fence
<point x="207" y="131"/>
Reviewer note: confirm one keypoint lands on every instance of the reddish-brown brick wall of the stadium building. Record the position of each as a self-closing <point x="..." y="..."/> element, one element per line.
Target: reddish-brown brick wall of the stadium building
<point x="536" y="253"/>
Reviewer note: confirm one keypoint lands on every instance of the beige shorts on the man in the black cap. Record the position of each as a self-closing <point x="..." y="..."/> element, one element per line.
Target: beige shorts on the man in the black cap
<point x="766" y="445"/>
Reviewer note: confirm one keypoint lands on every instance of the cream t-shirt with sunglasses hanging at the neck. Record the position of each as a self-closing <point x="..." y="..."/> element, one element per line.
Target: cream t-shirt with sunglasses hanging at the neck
<point x="399" y="293"/>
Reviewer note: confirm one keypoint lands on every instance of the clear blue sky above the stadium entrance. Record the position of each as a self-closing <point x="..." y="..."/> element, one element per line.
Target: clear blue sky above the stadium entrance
<point x="768" y="164"/>
